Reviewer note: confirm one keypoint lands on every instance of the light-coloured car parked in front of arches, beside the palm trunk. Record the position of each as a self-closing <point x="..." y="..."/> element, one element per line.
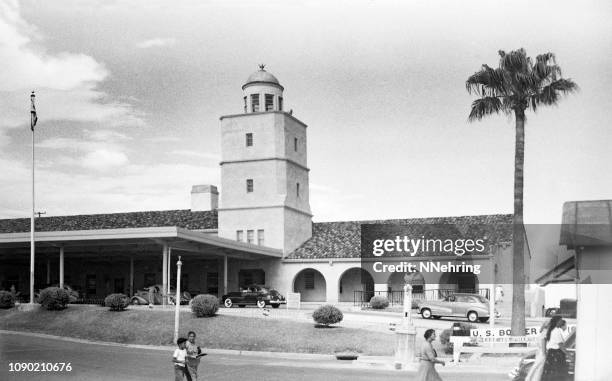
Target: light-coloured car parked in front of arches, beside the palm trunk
<point x="471" y="306"/>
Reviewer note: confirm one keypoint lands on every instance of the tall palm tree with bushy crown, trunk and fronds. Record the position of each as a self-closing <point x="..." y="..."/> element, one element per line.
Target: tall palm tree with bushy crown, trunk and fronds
<point x="517" y="84"/>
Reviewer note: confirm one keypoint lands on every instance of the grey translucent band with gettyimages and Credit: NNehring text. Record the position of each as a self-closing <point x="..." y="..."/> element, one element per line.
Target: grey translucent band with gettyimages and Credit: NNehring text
<point x="467" y="256"/>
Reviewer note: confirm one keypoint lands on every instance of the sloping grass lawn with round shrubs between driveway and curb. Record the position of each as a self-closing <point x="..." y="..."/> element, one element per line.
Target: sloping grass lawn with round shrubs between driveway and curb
<point x="155" y="327"/>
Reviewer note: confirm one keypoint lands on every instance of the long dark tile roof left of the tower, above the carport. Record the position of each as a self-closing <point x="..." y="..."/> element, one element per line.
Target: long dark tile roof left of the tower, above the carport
<point x="182" y="218"/>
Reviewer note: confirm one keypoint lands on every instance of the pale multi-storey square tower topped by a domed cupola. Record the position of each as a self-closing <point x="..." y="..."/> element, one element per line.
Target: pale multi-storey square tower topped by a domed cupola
<point x="264" y="173"/>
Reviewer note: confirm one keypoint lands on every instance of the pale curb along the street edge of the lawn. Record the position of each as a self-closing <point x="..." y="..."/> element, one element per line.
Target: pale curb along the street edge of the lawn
<point x="283" y="355"/>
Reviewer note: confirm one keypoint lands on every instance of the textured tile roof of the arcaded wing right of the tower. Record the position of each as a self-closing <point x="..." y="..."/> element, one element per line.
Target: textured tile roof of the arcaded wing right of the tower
<point x="343" y="239"/>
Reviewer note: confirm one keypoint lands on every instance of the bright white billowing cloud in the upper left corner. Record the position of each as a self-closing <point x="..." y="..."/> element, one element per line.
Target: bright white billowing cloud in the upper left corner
<point x="66" y="83"/>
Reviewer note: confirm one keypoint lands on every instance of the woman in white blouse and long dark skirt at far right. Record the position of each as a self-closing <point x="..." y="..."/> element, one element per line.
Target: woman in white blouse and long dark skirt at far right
<point x="555" y="366"/>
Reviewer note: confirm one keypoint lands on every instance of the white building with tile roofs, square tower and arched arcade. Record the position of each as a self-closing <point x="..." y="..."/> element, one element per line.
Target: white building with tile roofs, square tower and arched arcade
<point x="261" y="231"/>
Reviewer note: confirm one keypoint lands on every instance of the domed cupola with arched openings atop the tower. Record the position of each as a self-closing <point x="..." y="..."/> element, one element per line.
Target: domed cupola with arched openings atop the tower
<point x="262" y="92"/>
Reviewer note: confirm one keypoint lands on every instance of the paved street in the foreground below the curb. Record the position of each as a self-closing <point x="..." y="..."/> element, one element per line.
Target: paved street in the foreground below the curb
<point x="101" y="362"/>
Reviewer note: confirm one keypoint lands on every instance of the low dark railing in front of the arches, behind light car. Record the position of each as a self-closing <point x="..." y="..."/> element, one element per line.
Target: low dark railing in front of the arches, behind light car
<point x="396" y="298"/>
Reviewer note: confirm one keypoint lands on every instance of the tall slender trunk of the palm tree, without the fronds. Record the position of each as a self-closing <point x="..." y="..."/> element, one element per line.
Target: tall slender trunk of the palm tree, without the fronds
<point x="518" y="231"/>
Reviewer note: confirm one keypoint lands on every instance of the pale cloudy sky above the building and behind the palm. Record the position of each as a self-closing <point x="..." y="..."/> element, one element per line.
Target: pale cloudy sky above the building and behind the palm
<point x="129" y="95"/>
